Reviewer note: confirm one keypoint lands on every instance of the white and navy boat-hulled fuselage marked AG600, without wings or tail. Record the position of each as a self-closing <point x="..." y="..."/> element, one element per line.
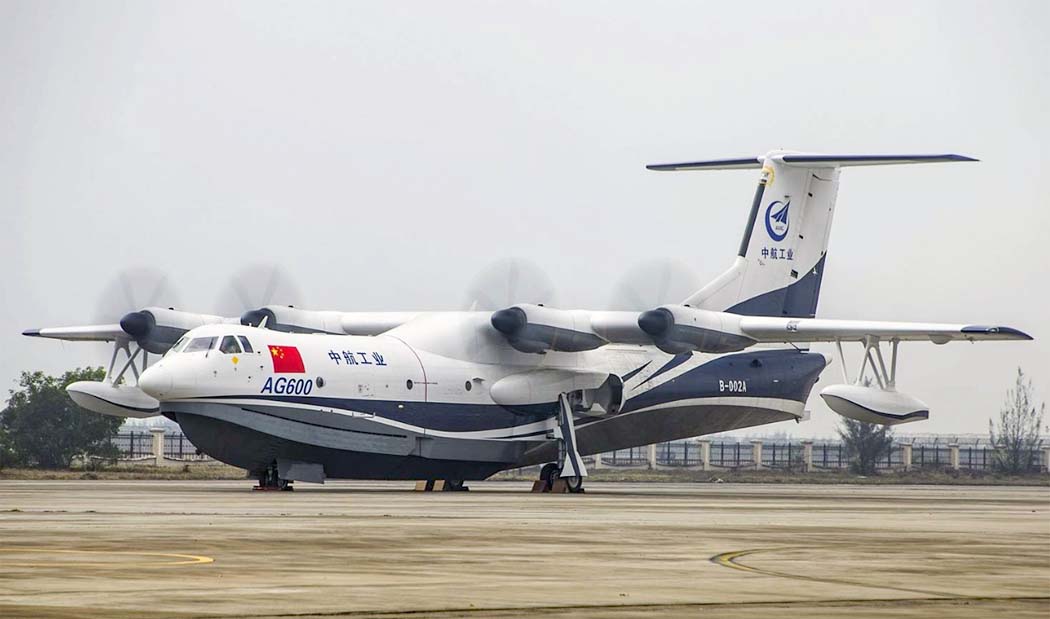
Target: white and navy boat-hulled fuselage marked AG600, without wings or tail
<point x="417" y="401"/>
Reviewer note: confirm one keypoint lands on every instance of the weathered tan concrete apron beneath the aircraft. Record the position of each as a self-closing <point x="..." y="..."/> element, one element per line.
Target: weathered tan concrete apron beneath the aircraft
<point x="216" y="549"/>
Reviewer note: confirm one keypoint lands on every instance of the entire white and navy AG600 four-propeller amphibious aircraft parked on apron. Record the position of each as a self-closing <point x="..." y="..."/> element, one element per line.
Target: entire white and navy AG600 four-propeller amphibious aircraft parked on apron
<point x="298" y="395"/>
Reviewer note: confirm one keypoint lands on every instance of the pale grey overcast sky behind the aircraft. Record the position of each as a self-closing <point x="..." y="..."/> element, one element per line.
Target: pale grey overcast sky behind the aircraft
<point x="384" y="154"/>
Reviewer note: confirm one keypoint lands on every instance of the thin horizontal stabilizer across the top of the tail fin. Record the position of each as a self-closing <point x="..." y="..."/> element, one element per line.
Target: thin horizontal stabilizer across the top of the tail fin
<point x="810" y="161"/>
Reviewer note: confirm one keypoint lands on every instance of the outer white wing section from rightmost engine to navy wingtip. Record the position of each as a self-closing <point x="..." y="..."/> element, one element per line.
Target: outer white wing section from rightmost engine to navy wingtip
<point x="820" y="330"/>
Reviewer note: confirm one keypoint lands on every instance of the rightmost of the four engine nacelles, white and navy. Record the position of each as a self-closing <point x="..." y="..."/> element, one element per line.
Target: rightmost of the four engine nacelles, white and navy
<point x="678" y="329"/>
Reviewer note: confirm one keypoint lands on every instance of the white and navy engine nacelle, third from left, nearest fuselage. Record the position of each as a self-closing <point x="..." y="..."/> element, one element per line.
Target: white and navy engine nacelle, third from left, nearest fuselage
<point x="535" y="329"/>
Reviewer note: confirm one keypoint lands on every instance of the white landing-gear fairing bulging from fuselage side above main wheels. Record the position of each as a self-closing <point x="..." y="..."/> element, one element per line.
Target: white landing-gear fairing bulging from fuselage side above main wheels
<point x="592" y="393"/>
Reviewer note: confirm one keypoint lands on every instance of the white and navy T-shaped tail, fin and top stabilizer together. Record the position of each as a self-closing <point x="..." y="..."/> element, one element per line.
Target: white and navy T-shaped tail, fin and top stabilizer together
<point x="781" y="264"/>
